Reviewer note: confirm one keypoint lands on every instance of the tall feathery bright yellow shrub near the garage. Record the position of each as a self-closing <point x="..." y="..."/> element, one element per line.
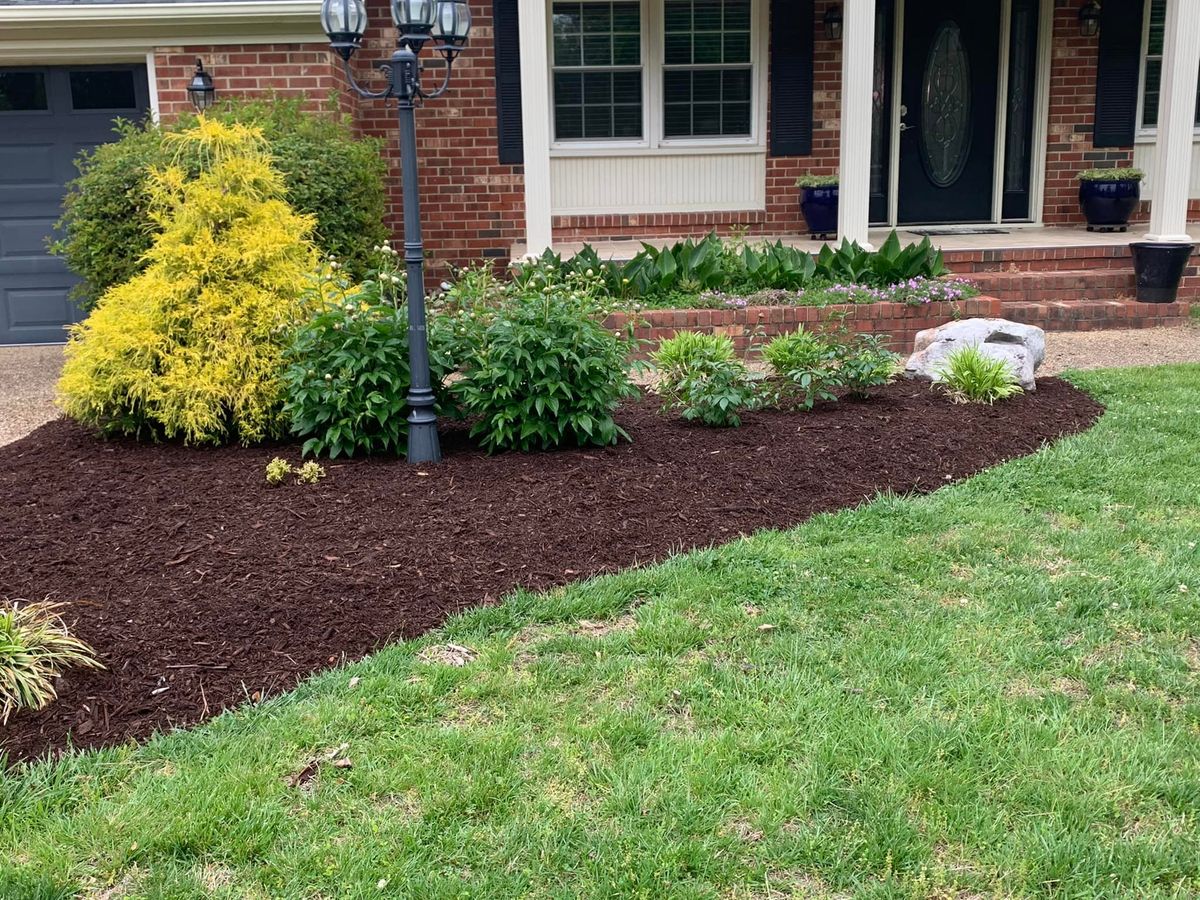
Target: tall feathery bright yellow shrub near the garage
<point x="193" y="347"/>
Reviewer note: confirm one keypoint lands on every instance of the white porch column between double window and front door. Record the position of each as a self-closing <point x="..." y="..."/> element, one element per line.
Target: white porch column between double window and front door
<point x="855" y="152"/>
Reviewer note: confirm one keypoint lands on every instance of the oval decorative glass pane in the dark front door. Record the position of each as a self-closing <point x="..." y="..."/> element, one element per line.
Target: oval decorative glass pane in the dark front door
<point x="946" y="107"/>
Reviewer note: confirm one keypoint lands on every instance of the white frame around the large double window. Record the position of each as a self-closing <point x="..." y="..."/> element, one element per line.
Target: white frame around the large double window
<point x="653" y="141"/>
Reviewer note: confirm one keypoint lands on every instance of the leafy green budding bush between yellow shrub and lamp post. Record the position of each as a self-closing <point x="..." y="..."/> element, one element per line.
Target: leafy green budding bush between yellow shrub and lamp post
<point x="347" y="375"/>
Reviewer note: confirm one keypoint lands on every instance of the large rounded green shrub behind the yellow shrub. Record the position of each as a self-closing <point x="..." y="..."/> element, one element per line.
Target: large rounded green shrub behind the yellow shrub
<point x="107" y="229"/>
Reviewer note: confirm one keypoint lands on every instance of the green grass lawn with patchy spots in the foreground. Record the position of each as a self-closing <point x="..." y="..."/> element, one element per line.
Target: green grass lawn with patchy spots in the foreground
<point x="989" y="692"/>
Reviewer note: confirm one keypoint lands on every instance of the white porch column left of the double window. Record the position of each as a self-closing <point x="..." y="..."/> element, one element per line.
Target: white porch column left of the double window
<point x="536" y="123"/>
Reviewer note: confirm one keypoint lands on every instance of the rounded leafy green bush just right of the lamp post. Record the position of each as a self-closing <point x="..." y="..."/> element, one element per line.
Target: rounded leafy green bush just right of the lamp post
<point x="544" y="373"/>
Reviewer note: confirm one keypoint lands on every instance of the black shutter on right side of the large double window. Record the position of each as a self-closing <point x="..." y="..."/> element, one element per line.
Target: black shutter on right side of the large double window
<point x="791" y="77"/>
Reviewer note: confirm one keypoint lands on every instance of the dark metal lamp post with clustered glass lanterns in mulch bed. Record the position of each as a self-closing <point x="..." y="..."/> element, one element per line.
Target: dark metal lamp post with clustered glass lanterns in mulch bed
<point x="448" y="22"/>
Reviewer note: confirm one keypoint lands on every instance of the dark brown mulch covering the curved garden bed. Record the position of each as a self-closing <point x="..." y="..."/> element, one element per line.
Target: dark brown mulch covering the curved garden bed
<point x="188" y="573"/>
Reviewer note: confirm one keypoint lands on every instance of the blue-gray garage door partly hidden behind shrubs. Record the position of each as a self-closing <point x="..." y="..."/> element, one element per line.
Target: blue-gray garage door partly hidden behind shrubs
<point x="47" y="117"/>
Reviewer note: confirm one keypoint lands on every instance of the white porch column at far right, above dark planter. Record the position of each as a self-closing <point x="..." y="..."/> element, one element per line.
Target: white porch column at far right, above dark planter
<point x="1177" y="123"/>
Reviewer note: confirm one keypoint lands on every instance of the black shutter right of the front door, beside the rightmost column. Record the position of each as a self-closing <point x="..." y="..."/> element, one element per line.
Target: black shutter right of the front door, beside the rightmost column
<point x="1118" y="74"/>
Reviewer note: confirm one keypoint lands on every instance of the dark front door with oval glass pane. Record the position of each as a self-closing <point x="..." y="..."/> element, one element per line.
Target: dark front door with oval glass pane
<point x="949" y="97"/>
